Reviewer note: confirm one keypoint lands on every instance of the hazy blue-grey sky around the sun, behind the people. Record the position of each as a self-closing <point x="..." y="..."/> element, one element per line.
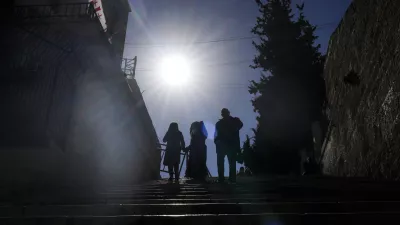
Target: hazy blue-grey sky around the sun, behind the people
<point x="220" y="69"/>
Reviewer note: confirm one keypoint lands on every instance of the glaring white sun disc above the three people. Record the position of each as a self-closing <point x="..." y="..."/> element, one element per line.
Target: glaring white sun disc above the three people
<point x="175" y="70"/>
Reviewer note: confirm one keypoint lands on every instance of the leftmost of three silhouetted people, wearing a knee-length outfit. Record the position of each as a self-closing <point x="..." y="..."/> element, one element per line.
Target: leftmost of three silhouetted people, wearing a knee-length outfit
<point x="175" y="143"/>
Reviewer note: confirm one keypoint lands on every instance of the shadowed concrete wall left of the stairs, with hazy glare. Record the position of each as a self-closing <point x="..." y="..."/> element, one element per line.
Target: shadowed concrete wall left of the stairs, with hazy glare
<point x="68" y="115"/>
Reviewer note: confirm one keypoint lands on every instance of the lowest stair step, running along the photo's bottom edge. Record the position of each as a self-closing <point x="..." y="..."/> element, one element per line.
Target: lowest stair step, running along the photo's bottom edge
<point x="256" y="219"/>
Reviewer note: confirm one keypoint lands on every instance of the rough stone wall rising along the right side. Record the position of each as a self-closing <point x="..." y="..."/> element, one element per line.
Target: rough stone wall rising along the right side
<point x="363" y="89"/>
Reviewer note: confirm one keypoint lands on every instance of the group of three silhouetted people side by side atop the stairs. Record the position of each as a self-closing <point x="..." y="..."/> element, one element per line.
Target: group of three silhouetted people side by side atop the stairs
<point x="226" y="139"/>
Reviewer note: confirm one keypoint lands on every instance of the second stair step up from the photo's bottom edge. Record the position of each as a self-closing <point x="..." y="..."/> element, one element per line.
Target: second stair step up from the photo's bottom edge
<point x="198" y="208"/>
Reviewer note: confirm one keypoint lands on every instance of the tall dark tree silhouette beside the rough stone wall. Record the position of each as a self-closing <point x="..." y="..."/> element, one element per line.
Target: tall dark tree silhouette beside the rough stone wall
<point x="290" y="92"/>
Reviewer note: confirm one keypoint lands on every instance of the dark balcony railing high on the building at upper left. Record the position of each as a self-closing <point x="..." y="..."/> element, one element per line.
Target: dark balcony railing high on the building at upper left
<point x="74" y="10"/>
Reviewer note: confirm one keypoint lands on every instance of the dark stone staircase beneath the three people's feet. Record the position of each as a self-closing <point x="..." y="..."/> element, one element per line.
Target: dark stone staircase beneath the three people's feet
<point x="272" y="201"/>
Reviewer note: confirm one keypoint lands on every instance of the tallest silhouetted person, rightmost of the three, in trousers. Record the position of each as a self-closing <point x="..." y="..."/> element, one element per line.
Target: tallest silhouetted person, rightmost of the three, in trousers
<point x="227" y="142"/>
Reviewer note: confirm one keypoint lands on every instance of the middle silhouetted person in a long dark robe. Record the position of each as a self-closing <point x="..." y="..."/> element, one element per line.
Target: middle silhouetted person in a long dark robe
<point x="197" y="162"/>
